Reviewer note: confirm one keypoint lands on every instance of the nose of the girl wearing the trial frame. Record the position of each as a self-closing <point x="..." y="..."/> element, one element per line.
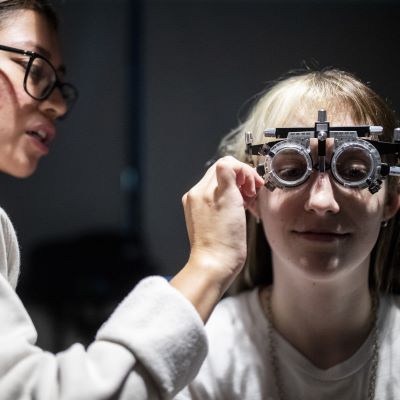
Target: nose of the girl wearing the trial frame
<point x="321" y="197"/>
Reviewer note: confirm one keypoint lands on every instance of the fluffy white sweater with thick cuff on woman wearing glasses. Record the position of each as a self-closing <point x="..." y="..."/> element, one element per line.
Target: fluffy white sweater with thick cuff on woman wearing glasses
<point x="151" y="346"/>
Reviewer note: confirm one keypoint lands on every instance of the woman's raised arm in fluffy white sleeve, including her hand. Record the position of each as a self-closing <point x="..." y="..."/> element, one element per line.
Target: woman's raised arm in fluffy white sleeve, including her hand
<point x="154" y="342"/>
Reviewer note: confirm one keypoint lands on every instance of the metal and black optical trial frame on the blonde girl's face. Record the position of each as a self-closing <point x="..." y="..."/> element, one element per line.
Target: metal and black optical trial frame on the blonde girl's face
<point x="363" y="137"/>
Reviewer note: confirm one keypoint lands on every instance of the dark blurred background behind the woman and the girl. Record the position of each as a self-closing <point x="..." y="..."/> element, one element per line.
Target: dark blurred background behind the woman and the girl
<point x="160" y="82"/>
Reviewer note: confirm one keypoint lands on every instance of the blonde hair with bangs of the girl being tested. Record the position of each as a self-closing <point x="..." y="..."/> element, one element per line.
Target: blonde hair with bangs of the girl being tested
<point x="298" y="92"/>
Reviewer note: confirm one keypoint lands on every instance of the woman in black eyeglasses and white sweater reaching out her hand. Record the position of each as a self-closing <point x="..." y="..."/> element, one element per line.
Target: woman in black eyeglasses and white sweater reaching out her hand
<point x="154" y="342"/>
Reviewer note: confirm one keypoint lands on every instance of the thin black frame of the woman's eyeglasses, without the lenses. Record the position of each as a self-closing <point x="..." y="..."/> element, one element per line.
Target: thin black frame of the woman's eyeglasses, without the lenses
<point x="57" y="83"/>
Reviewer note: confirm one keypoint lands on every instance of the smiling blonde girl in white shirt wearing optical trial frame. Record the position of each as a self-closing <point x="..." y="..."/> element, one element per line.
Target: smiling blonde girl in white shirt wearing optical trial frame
<point x="317" y="316"/>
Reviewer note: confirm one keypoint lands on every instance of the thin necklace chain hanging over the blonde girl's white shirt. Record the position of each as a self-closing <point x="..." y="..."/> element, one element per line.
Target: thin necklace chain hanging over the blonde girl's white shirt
<point x="274" y="358"/>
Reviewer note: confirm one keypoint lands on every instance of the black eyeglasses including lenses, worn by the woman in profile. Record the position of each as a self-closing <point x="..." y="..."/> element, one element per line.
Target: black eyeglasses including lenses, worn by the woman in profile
<point x="41" y="78"/>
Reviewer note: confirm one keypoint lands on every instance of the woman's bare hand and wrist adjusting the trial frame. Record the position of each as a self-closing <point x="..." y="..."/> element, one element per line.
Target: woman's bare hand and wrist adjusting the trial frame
<point x="216" y="223"/>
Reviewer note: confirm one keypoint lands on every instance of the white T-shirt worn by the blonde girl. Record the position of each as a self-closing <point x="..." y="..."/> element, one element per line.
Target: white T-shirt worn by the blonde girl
<point x="238" y="366"/>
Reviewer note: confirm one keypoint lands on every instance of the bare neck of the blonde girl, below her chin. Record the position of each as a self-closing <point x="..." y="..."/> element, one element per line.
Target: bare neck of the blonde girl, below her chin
<point x="327" y="321"/>
